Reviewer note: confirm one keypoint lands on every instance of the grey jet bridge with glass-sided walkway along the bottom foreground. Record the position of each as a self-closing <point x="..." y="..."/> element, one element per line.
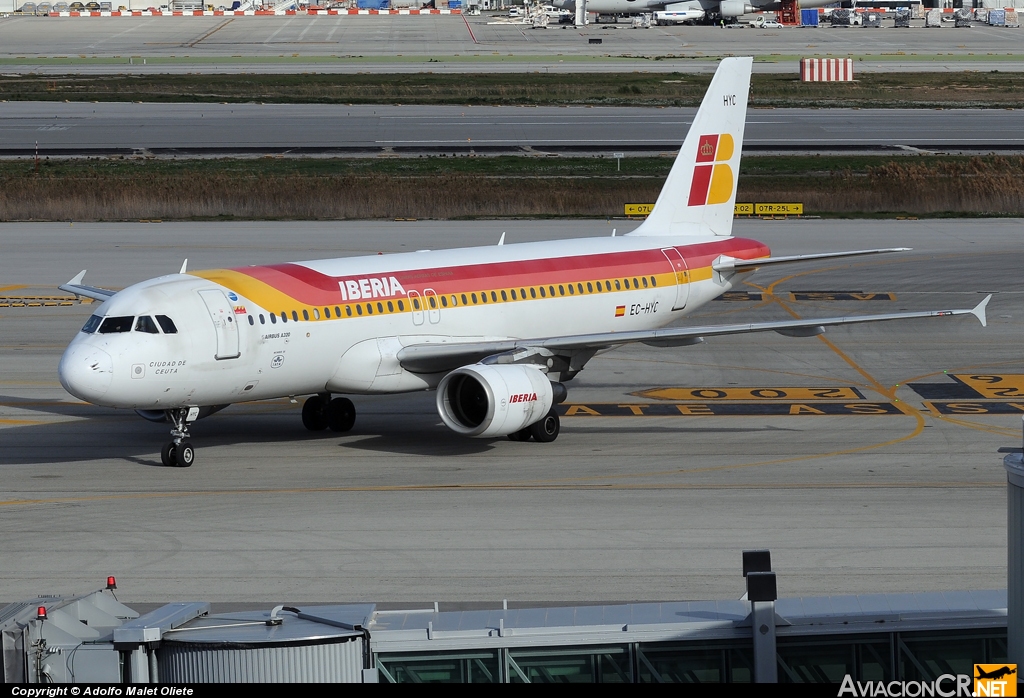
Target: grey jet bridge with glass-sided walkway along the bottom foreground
<point x="905" y="637"/>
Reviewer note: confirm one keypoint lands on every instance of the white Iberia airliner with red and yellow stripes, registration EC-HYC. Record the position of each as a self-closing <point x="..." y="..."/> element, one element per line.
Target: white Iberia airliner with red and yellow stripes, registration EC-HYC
<point x="496" y="331"/>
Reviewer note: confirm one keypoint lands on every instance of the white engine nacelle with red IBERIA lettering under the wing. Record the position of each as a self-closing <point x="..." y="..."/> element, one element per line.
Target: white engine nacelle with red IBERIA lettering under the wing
<point x="485" y="402"/>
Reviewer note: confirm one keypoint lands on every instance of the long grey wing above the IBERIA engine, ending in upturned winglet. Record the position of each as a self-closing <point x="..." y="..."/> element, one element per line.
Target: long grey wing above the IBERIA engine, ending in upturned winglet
<point x="438" y="358"/>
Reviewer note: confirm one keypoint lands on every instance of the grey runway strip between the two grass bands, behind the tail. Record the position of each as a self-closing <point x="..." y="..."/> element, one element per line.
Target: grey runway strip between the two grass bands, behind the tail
<point x="87" y="129"/>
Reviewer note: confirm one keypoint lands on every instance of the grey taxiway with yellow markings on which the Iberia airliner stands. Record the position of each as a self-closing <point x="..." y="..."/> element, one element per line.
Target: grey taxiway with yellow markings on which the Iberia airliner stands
<point x="841" y="454"/>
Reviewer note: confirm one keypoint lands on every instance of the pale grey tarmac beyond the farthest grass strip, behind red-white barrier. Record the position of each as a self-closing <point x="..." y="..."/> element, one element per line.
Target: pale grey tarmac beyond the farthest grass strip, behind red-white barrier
<point x="458" y="45"/>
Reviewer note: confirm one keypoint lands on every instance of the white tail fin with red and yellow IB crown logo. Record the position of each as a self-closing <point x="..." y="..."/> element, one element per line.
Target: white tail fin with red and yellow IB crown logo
<point x="699" y="196"/>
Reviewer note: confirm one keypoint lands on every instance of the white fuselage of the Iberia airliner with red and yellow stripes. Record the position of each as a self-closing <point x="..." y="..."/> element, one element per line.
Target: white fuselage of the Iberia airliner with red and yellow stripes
<point x="237" y="337"/>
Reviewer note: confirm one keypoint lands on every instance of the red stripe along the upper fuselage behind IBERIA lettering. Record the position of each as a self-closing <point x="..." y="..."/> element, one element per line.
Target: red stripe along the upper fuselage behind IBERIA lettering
<point x="313" y="288"/>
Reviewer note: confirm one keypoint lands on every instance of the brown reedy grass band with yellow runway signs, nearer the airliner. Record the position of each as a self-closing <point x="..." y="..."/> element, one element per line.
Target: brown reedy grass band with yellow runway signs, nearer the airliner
<point x="484" y="188"/>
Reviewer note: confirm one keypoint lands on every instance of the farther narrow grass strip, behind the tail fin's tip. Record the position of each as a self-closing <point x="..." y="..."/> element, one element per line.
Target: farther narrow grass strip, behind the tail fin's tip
<point x="889" y="91"/>
